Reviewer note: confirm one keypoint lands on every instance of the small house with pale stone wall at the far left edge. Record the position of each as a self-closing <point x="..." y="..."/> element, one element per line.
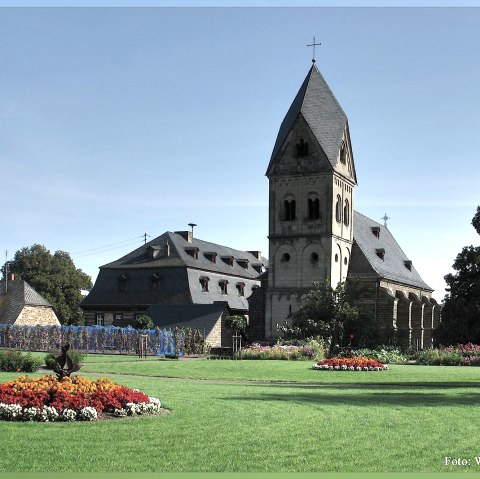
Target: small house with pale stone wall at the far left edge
<point x="21" y="305"/>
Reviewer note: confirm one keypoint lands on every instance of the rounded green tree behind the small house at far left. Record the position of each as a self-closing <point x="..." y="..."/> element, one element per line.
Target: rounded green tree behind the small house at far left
<point x="55" y="277"/>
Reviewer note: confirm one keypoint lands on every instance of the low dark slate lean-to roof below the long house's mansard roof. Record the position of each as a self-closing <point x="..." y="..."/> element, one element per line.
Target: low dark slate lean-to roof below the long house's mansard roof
<point x="196" y="316"/>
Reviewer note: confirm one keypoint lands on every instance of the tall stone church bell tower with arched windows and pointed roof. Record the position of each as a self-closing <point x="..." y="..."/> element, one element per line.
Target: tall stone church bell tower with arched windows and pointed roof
<point x="311" y="184"/>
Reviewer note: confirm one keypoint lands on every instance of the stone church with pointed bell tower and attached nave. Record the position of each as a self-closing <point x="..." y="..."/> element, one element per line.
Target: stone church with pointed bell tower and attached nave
<point x="314" y="232"/>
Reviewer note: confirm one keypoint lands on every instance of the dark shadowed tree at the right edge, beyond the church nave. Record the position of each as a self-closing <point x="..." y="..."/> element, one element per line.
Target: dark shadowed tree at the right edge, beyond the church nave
<point x="461" y="312"/>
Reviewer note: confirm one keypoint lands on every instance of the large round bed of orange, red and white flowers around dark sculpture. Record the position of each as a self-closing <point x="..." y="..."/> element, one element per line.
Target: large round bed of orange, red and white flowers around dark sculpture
<point x="71" y="399"/>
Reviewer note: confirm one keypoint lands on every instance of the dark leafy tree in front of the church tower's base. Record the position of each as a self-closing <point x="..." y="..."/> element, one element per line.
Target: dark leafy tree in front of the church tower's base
<point x="332" y="314"/>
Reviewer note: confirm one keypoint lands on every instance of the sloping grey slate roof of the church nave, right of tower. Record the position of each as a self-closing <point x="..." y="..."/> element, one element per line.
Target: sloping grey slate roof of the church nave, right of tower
<point x="365" y="262"/>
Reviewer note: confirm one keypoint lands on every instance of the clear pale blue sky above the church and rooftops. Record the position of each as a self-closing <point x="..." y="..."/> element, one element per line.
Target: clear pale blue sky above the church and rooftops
<point x="115" y="122"/>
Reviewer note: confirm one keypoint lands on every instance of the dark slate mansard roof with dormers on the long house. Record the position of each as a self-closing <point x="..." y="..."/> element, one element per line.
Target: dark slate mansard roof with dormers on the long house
<point x="178" y="274"/>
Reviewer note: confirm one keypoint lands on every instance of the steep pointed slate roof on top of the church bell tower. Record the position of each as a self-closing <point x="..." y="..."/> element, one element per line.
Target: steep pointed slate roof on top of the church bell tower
<point x="324" y="115"/>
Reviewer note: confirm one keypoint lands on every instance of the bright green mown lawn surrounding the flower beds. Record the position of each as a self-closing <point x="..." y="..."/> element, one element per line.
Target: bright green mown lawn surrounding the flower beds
<point x="403" y="420"/>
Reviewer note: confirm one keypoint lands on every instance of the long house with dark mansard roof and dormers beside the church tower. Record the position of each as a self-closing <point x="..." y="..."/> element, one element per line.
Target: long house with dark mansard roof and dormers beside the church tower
<point x="176" y="279"/>
